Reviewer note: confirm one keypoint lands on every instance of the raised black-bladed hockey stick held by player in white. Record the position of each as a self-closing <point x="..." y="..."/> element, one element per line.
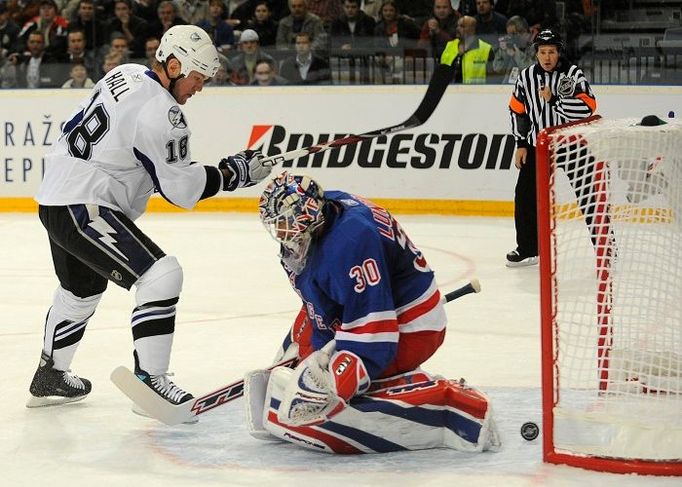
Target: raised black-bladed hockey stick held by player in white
<point x="441" y="78"/>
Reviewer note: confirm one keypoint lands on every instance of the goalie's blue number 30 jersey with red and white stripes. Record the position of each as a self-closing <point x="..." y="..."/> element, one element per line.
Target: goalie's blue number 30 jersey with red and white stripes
<point x="368" y="287"/>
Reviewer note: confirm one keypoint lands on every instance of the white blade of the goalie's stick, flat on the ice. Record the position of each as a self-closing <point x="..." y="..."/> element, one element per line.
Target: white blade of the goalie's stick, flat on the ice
<point x="153" y="404"/>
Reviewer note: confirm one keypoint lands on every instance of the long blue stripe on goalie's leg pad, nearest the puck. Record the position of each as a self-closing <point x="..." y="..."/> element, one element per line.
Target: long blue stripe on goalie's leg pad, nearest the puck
<point x="464" y="427"/>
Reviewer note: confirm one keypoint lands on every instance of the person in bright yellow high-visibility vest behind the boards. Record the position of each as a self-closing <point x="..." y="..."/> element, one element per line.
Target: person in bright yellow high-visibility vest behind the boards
<point x="471" y="56"/>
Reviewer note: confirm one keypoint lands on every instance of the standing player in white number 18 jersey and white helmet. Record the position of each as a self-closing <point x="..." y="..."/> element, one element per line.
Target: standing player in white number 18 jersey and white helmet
<point x="125" y="141"/>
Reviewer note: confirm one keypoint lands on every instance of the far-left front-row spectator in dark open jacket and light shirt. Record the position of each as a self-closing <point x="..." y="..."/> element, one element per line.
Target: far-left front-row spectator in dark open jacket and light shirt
<point x="36" y="68"/>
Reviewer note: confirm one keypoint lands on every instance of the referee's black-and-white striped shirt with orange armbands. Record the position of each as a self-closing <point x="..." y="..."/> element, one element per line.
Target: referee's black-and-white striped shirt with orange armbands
<point x="572" y="99"/>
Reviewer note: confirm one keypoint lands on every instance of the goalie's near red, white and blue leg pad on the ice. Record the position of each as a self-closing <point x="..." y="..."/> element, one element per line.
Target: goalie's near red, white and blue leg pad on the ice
<point x="431" y="414"/>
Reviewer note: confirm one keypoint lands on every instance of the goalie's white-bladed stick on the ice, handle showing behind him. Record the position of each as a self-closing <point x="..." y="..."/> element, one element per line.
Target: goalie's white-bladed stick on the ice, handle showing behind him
<point x="173" y="414"/>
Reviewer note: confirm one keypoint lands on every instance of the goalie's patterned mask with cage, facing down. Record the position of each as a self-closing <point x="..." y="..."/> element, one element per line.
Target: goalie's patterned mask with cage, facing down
<point x="291" y="210"/>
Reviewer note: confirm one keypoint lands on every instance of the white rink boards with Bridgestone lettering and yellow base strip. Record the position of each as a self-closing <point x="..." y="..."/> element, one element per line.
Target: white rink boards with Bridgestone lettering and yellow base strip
<point x="463" y="153"/>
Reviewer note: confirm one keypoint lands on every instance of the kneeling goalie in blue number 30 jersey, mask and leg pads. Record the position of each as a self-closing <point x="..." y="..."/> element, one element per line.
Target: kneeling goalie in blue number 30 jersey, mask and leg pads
<point x="371" y="315"/>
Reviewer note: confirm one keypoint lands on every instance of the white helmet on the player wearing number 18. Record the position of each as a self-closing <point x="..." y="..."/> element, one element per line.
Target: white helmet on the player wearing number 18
<point x="192" y="46"/>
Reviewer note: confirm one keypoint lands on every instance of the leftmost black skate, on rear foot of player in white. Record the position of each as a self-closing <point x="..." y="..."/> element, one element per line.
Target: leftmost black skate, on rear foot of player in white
<point x="50" y="386"/>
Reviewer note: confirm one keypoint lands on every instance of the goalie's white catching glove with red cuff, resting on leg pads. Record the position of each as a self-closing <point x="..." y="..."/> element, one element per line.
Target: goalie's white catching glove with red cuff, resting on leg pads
<point x="320" y="387"/>
